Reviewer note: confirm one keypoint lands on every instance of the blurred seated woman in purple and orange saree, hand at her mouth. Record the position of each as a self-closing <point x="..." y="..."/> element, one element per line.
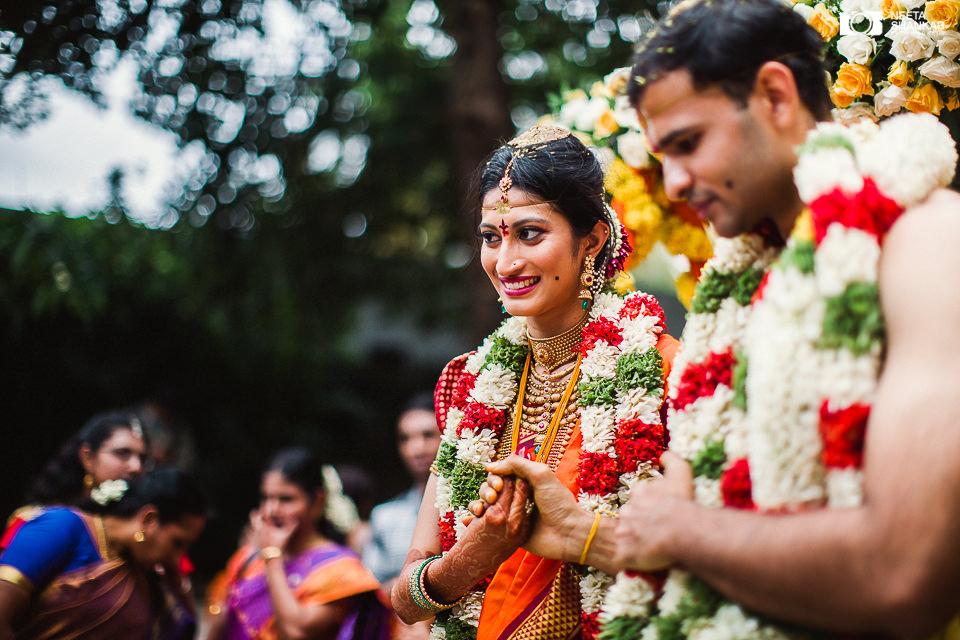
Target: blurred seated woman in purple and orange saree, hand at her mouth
<point x="292" y="581"/>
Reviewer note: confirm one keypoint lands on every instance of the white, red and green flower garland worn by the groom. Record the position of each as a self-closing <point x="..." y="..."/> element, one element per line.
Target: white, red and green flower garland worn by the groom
<point x="799" y="445"/>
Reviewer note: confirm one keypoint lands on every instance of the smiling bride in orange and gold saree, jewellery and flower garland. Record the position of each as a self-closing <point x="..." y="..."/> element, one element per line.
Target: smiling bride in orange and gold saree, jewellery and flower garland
<point x="574" y="379"/>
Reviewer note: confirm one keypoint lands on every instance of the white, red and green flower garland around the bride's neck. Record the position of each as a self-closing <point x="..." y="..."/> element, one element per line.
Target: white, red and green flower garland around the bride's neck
<point x="621" y="390"/>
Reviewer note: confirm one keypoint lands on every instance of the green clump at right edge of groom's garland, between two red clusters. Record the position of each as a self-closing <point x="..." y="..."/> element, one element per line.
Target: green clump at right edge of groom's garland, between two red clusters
<point x="853" y="320"/>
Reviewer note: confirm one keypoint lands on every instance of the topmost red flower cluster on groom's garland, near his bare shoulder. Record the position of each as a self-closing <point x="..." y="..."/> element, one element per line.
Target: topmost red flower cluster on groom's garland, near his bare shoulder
<point x="867" y="210"/>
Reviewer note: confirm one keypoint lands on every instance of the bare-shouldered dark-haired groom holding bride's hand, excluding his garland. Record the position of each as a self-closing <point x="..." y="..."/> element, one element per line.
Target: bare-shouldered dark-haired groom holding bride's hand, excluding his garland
<point x="727" y="90"/>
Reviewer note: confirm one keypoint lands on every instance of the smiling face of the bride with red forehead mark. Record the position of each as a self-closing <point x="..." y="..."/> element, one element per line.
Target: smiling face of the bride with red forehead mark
<point x="533" y="260"/>
